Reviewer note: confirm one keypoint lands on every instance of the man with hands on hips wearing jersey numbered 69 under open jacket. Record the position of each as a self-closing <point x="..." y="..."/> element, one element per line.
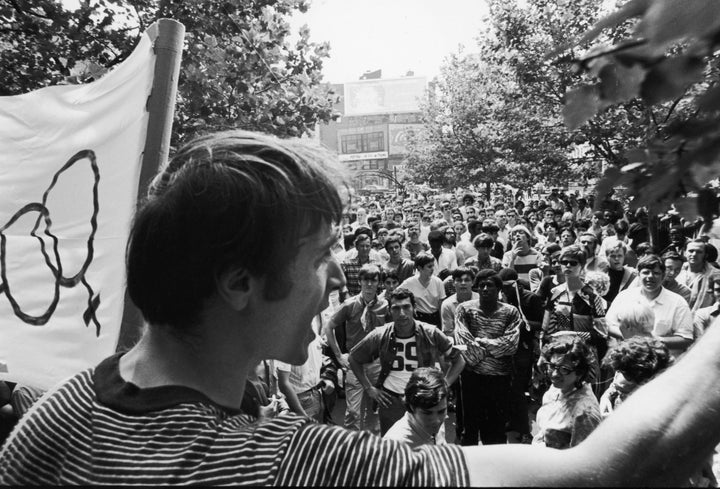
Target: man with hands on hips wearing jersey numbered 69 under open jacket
<point x="402" y="346"/>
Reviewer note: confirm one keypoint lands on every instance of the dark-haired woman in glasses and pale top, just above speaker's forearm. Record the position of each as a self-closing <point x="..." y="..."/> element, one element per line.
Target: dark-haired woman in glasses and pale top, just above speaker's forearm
<point x="570" y="411"/>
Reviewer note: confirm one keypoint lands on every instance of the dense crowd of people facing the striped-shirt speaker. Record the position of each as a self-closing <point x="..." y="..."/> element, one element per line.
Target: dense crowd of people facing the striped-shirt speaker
<point x="484" y="308"/>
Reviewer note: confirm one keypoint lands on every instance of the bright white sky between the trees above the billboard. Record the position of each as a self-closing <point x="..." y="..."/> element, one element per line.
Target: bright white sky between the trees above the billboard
<point x="396" y="36"/>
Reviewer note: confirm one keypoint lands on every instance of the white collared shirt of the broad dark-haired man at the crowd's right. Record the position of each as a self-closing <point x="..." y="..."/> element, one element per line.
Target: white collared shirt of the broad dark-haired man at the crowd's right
<point x="672" y="314"/>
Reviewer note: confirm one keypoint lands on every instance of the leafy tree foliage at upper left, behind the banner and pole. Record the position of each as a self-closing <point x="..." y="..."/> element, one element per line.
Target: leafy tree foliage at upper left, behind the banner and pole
<point x="238" y="67"/>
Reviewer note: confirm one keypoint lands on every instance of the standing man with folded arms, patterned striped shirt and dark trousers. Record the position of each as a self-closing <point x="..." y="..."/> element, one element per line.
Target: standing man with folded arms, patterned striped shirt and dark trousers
<point x="486" y="386"/>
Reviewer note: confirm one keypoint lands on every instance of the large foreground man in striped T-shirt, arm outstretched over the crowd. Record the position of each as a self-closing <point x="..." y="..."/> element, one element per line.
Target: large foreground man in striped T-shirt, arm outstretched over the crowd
<point x="217" y="300"/>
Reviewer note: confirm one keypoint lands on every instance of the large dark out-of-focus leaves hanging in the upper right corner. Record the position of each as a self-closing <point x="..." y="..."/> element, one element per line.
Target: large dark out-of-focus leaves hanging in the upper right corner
<point x="663" y="80"/>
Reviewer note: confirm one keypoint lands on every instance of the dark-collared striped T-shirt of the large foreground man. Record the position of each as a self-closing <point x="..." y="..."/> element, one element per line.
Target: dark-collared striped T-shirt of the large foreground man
<point x="98" y="429"/>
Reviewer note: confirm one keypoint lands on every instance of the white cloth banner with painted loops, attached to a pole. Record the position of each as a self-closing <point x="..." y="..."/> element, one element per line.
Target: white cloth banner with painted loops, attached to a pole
<point x="70" y="159"/>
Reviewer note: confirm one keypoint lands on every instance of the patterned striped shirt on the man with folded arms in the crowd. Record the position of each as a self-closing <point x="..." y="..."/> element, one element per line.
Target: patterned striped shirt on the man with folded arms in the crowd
<point x="500" y="332"/>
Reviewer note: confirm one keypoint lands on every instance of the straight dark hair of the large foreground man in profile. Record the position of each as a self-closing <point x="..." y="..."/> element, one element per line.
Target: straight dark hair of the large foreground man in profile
<point x="230" y="199"/>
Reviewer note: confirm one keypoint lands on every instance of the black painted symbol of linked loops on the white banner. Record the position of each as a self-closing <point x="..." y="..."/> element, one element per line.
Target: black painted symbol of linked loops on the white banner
<point x="41" y="224"/>
